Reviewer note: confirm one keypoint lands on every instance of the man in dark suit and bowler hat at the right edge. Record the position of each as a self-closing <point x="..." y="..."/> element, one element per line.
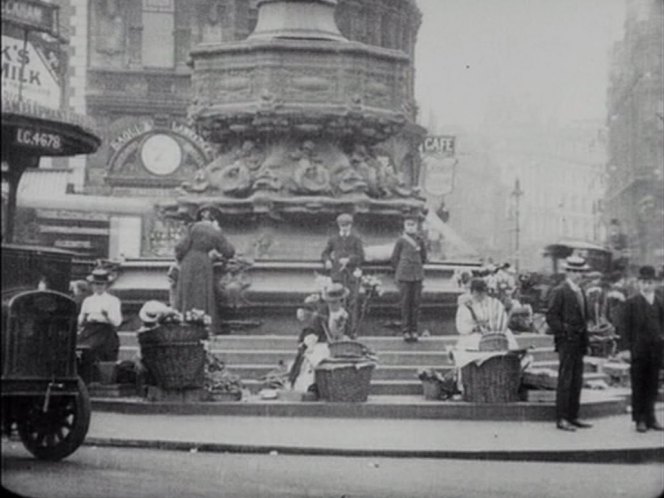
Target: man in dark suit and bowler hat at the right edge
<point x="644" y="331"/>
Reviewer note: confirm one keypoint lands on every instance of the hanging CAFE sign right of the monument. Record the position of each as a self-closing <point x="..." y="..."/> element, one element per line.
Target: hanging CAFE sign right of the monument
<point x="438" y="164"/>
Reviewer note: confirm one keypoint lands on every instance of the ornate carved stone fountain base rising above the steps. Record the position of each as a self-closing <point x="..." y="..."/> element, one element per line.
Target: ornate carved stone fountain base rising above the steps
<point x="307" y="125"/>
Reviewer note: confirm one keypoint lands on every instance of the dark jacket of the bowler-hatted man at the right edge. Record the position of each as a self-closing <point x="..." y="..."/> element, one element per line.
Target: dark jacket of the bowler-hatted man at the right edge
<point x="639" y="334"/>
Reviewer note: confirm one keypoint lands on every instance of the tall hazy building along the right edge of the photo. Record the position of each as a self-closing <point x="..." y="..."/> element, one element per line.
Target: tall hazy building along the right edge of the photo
<point x="635" y="175"/>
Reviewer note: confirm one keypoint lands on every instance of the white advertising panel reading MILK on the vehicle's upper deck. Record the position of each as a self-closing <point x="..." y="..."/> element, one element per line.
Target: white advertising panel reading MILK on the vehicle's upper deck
<point x="30" y="72"/>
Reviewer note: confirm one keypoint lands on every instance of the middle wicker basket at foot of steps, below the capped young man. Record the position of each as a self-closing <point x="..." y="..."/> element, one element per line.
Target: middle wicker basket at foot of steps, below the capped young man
<point x="347" y="381"/>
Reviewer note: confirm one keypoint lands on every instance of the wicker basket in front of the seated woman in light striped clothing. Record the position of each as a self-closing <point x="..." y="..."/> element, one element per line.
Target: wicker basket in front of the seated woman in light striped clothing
<point x="496" y="380"/>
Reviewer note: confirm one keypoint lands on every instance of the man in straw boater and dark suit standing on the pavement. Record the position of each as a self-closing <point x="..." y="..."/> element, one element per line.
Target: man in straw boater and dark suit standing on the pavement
<point x="567" y="316"/>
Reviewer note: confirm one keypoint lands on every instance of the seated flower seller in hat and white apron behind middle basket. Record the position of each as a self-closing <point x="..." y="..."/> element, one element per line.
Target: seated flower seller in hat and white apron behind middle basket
<point x="324" y="321"/>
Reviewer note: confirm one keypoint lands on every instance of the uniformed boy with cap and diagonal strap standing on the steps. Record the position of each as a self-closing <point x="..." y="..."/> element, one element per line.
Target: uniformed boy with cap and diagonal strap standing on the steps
<point x="408" y="258"/>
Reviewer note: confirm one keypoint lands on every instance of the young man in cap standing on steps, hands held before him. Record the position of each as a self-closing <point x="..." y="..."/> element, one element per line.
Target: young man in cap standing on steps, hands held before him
<point x="343" y="255"/>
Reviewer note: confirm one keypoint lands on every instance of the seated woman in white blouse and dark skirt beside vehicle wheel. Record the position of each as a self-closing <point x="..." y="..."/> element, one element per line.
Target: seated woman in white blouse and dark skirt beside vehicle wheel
<point x="99" y="318"/>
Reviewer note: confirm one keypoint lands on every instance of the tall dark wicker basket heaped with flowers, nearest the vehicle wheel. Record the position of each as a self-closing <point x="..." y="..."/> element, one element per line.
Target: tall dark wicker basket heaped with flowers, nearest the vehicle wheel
<point x="172" y="348"/>
